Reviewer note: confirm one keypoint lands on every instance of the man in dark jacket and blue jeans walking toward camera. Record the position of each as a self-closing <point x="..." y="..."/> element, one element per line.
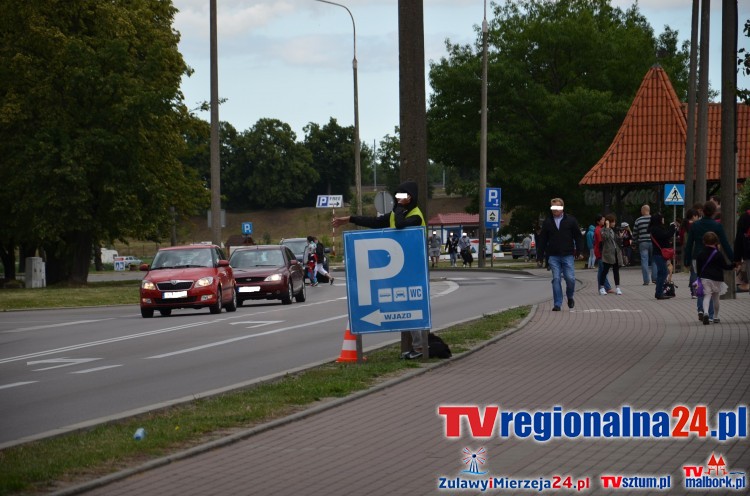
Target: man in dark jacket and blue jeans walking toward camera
<point x="558" y="241"/>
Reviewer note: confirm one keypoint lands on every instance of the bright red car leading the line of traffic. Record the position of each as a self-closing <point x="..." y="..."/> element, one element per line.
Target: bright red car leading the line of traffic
<point x="193" y="276"/>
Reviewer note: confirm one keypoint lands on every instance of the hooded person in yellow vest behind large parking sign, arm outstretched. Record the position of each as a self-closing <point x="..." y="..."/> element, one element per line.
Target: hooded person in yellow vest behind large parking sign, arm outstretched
<point x="406" y="213"/>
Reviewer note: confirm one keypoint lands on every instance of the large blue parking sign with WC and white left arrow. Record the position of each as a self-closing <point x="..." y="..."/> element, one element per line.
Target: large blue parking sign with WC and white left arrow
<point x="387" y="282"/>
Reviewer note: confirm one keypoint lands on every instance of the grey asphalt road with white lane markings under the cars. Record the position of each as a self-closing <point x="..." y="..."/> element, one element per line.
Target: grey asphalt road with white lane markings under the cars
<point x="64" y="369"/>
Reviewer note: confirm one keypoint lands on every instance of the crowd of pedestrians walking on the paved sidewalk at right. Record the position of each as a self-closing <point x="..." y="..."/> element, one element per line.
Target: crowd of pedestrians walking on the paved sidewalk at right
<point x="699" y="243"/>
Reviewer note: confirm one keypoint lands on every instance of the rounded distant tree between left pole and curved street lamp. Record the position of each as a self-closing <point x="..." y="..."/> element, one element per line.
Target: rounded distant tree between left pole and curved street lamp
<point x="268" y="168"/>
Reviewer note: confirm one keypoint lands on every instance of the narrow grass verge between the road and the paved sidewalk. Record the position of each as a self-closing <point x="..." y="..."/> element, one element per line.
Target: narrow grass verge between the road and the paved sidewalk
<point x="51" y="464"/>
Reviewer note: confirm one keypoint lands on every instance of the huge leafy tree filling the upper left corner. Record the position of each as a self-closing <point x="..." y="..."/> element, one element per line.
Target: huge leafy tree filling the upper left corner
<point x="91" y="127"/>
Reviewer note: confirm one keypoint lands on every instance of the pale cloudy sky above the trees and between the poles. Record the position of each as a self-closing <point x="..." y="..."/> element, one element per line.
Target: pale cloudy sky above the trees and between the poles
<point x="292" y="59"/>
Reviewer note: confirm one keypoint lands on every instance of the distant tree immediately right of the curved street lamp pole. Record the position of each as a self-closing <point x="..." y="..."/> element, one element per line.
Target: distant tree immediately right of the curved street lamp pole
<point x="332" y="150"/>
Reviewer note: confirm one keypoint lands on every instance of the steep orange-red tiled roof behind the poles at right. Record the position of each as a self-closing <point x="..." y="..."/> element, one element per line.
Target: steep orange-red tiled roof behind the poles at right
<point x="650" y="145"/>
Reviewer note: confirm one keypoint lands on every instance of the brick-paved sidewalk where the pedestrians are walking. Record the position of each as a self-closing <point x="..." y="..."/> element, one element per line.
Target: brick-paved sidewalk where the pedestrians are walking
<point x="608" y="352"/>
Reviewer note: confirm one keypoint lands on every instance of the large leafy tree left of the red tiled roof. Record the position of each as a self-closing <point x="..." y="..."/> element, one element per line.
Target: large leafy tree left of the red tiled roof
<point x="562" y="75"/>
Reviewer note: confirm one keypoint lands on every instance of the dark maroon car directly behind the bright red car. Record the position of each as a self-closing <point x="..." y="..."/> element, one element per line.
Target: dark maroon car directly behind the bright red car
<point x="268" y="272"/>
